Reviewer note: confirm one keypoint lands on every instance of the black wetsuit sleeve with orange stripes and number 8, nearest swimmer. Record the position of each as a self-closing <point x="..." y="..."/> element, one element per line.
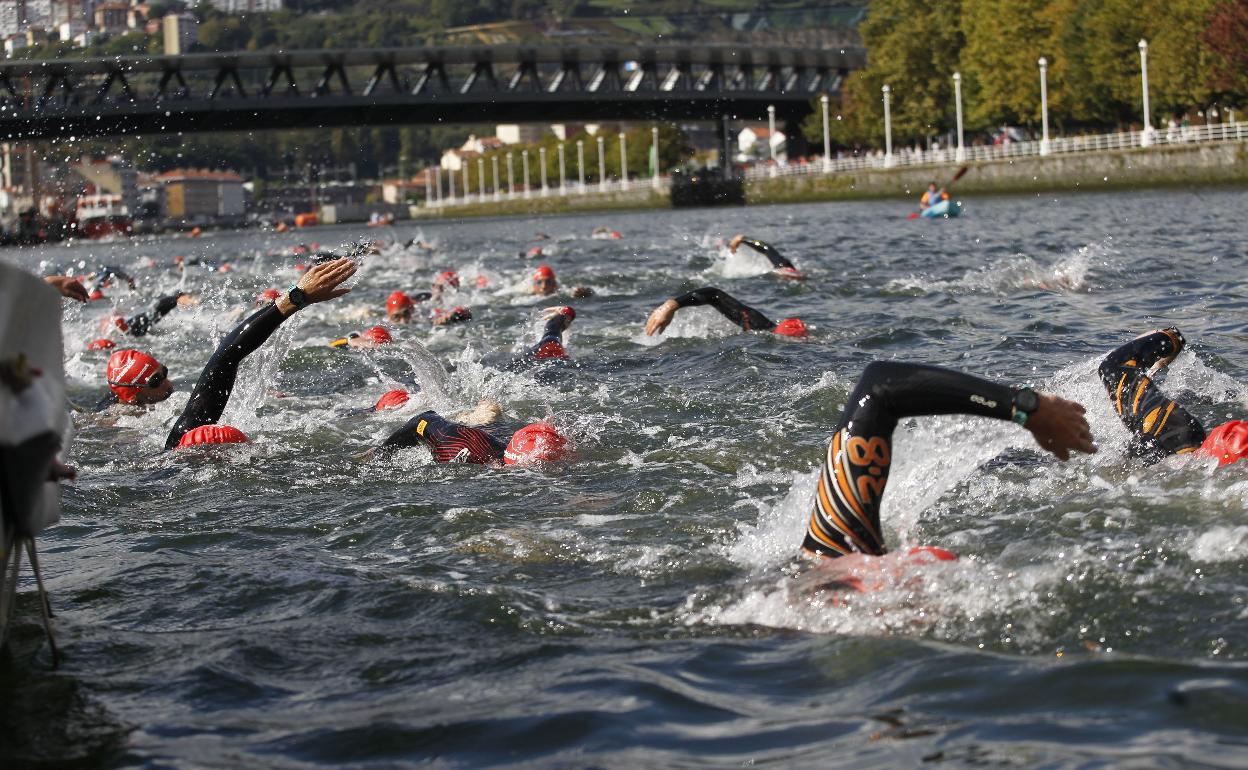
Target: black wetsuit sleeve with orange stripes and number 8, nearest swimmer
<point x="847" y="514"/>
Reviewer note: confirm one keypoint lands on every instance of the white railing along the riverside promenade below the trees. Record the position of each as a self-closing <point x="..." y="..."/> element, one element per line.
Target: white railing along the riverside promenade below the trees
<point x="1059" y="145"/>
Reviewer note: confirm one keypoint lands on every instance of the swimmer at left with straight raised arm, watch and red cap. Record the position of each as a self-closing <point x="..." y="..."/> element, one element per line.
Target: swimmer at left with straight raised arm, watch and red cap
<point x="213" y="391"/>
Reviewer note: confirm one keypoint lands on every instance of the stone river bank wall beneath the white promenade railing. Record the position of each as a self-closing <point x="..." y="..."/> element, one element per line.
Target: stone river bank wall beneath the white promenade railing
<point x="1169" y="167"/>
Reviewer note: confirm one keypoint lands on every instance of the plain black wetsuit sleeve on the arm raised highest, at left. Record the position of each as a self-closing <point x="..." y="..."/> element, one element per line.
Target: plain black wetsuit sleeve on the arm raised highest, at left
<point x="217" y="383"/>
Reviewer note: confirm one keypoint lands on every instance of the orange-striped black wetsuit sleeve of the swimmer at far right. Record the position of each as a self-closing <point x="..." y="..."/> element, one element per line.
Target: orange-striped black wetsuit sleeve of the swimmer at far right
<point x="1159" y="425"/>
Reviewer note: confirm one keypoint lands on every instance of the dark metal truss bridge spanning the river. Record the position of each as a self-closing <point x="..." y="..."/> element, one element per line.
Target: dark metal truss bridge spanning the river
<point x="431" y="85"/>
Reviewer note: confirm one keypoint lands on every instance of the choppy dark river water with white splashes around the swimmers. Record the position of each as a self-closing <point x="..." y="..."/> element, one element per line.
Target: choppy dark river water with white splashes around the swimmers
<point x="291" y="605"/>
